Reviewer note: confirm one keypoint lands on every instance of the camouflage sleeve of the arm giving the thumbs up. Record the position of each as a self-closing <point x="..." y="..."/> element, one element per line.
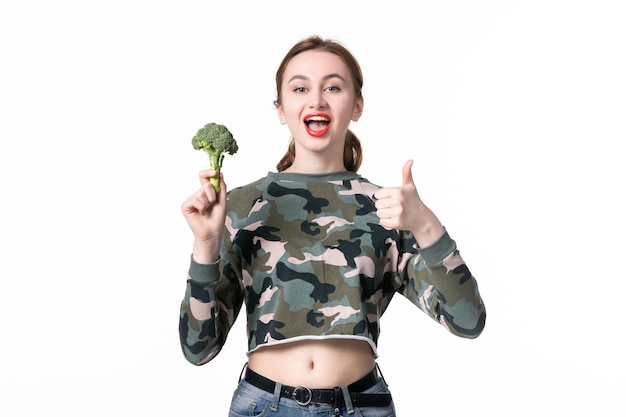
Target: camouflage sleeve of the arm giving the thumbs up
<point x="439" y="282"/>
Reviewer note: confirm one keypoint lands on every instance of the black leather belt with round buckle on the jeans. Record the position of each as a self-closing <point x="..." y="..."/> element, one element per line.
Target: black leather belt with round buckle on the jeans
<point x="303" y="395"/>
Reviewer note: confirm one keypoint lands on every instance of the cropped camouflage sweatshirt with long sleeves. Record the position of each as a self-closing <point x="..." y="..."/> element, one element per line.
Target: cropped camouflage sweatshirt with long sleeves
<point x="307" y="257"/>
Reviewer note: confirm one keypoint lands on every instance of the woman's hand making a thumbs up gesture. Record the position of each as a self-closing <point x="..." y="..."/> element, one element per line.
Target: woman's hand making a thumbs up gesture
<point x="402" y="208"/>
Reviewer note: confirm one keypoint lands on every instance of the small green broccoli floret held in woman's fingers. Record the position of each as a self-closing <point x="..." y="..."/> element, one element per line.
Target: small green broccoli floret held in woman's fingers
<point x="216" y="140"/>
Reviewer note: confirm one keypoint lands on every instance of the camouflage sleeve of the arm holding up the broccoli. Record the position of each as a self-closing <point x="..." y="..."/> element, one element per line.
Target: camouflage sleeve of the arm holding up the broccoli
<point x="208" y="311"/>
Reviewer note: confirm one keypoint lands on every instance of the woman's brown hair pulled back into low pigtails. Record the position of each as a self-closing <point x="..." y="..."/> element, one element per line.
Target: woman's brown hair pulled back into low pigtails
<point x="352" y="152"/>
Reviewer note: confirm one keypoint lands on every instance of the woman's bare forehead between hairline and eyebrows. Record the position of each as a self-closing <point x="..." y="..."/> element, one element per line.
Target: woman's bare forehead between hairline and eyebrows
<point x="316" y="64"/>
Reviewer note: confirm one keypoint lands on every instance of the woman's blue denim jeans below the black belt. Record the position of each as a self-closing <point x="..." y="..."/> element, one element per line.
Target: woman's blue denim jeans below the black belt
<point x="250" y="401"/>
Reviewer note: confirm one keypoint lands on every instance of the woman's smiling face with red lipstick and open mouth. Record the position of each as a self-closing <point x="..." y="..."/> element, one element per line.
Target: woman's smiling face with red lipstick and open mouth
<point x="318" y="102"/>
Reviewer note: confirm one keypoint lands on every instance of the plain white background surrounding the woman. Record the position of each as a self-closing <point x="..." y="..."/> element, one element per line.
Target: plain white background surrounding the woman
<point x="513" y="111"/>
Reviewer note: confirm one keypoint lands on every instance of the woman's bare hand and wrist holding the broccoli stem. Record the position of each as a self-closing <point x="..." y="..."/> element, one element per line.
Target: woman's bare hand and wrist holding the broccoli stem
<point x="205" y="212"/>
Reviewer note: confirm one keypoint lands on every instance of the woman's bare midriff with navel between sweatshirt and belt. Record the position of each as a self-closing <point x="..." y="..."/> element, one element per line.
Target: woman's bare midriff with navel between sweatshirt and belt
<point x="314" y="363"/>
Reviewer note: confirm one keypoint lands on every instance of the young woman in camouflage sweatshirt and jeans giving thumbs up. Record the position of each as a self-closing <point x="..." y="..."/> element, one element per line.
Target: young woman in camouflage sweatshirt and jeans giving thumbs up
<point x="315" y="252"/>
